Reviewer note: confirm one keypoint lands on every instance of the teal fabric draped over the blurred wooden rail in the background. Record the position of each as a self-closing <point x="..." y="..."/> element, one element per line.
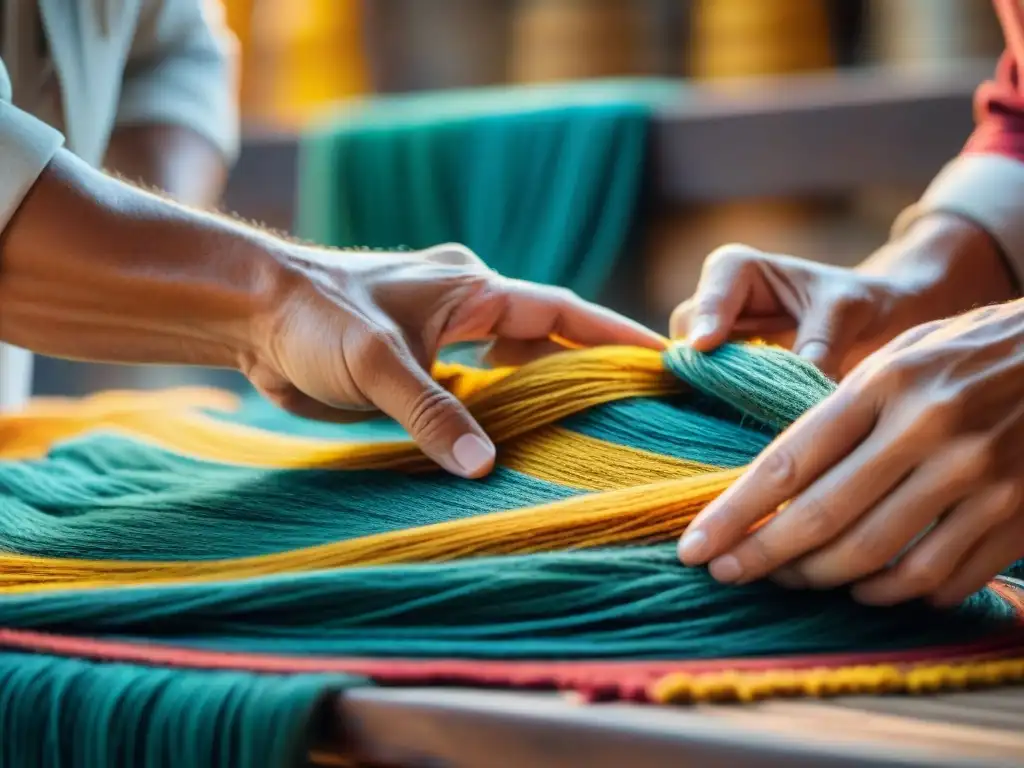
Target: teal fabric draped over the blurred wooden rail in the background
<point x="541" y="183"/>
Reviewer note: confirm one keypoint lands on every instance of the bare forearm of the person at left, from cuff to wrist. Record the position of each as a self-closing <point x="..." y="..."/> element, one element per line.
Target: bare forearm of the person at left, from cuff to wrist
<point x="94" y="269"/>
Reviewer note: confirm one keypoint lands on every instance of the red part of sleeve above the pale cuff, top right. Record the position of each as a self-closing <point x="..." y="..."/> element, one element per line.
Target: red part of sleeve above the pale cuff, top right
<point x="999" y="104"/>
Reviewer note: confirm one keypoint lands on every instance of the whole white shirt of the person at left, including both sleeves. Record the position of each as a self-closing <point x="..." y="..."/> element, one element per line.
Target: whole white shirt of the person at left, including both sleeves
<point x="114" y="63"/>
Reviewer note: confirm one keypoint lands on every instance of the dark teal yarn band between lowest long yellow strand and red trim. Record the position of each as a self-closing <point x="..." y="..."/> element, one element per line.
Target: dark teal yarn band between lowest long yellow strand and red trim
<point x="620" y="603"/>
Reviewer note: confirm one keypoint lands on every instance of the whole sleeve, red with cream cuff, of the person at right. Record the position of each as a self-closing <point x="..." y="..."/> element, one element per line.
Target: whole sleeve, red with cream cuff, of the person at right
<point x="986" y="184"/>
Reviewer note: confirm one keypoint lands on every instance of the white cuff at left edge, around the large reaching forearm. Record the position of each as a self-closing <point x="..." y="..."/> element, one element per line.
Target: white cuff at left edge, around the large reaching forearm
<point x="27" y="147"/>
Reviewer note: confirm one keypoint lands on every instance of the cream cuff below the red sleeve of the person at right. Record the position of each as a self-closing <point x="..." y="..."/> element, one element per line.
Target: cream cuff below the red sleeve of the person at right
<point x="988" y="190"/>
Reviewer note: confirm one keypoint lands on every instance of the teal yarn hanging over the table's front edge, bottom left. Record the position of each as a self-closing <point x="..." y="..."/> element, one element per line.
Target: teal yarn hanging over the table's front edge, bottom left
<point x="68" y="713"/>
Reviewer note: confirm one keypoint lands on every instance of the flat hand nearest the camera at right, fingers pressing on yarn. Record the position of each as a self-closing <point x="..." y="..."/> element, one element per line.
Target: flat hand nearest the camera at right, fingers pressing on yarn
<point x="909" y="480"/>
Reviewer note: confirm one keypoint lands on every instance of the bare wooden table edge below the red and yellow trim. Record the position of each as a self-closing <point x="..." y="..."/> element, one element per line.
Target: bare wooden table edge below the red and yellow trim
<point x="452" y="728"/>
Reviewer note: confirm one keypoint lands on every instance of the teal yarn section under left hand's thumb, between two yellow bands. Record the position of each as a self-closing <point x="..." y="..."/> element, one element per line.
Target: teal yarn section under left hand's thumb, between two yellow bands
<point x="107" y="497"/>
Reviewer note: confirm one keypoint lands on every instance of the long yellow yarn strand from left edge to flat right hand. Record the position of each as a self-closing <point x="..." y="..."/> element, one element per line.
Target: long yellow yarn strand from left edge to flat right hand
<point x="648" y="514"/>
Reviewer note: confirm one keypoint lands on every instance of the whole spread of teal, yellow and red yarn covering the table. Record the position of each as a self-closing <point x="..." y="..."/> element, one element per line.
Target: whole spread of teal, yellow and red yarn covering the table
<point x="187" y="577"/>
